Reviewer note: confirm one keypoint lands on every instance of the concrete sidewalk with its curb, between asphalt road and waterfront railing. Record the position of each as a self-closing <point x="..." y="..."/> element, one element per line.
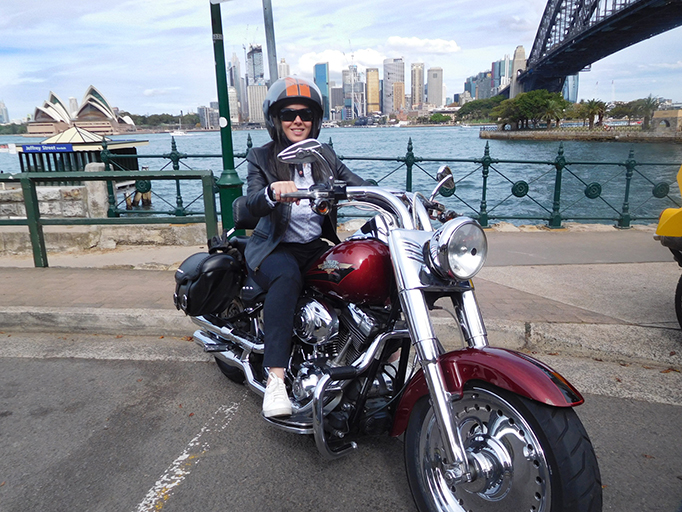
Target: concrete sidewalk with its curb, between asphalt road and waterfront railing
<point x="599" y="292"/>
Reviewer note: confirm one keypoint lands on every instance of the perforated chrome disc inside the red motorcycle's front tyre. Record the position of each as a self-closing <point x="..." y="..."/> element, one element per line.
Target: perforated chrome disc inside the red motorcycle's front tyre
<point x="510" y="469"/>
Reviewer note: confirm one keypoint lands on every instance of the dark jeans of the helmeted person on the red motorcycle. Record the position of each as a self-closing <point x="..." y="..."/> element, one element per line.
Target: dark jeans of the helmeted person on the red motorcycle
<point x="281" y="276"/>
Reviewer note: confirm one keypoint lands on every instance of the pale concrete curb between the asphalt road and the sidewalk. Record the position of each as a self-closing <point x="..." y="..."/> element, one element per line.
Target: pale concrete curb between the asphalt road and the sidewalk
<point x="603" y="342"/>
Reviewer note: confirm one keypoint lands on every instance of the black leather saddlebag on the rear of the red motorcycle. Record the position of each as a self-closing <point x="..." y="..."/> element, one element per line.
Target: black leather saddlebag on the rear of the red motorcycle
<point x="206" y="283"/>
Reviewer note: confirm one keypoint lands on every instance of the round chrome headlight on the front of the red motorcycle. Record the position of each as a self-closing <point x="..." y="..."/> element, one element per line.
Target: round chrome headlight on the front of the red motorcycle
<point x="458" y="249"/>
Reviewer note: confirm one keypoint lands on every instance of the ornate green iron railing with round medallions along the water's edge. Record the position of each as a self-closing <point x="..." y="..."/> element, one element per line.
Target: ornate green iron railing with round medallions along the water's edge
<point x="556" y="193"/>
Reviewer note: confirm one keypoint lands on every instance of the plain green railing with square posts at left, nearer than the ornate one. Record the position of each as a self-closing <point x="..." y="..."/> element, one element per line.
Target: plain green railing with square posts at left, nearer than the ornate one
<point x="35" y="222"/>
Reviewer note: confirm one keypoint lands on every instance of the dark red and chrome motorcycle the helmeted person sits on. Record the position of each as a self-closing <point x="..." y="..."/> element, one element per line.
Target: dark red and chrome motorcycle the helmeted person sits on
<point x="484" y="428"/>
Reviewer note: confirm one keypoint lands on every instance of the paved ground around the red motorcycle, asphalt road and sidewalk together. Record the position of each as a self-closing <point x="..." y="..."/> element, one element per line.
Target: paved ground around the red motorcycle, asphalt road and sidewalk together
<point x="93" y="346"/>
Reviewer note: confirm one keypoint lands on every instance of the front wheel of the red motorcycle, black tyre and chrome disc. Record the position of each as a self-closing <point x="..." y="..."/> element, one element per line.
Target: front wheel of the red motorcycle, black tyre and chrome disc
<point x="526" y="456"/>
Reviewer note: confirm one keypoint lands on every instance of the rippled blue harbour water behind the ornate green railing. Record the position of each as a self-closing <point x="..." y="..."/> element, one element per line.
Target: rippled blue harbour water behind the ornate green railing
<point x="455" y="143"/>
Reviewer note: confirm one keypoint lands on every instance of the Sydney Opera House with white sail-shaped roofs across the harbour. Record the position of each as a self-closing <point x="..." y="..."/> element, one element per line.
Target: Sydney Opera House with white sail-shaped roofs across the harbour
<point x="94" y="114"/>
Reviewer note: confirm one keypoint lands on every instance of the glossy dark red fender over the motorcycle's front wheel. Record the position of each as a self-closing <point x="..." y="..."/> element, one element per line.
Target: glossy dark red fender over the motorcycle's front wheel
<point x="506" y="369"/>
